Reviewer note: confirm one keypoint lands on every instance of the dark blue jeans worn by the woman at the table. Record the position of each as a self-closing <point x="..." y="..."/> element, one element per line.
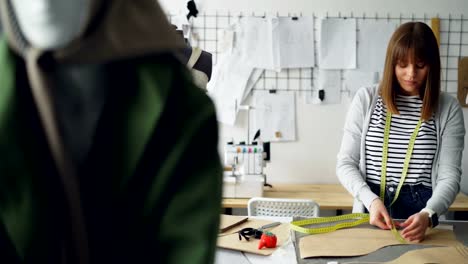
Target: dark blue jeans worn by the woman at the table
<point x="411" y="200"/>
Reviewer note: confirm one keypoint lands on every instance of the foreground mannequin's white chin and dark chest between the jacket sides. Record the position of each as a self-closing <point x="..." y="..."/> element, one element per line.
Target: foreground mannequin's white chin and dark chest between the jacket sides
<point x="54" y="25"/>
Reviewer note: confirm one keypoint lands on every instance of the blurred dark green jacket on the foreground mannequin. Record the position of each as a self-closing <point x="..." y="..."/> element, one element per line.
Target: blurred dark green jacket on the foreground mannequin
<point x="151" y="187"/>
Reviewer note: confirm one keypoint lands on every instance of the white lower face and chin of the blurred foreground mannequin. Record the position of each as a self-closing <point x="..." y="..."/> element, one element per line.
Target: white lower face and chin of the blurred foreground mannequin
<point x="48" y="24"/>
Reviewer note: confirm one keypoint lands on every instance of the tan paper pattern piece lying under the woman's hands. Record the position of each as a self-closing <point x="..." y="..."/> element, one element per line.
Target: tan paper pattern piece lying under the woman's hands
<point x="362" y="241"/>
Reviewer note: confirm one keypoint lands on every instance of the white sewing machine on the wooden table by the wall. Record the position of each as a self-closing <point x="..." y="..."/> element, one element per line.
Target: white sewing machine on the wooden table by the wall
<point x="244" y="177"/>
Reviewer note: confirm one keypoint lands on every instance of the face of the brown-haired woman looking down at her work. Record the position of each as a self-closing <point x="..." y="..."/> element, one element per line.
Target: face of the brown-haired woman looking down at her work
<point x="411" y="76"/>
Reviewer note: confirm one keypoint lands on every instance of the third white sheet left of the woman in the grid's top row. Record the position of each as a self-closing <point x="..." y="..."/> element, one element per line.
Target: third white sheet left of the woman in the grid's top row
<point x="296" y="42"/>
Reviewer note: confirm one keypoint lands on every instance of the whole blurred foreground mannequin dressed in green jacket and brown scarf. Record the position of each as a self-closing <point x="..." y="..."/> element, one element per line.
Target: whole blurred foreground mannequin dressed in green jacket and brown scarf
<point x="89" y="88"/>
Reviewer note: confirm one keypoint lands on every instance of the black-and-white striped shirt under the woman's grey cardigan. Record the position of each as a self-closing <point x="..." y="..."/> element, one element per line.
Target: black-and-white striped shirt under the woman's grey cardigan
<point x="402" y="126"/>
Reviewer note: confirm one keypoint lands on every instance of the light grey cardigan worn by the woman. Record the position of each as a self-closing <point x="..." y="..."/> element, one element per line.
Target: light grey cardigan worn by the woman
<point x="446" y="168"/>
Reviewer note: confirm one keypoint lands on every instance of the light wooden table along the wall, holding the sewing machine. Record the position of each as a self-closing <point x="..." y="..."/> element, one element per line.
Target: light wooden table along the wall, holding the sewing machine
<point x="328" y="196"/>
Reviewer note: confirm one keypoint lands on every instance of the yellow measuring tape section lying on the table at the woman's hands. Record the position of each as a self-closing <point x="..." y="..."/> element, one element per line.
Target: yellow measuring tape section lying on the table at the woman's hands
<point x="350" y="220"/>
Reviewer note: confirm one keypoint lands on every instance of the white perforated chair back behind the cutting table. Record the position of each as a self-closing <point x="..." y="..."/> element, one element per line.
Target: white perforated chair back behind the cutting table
<point x="260" y="206"/>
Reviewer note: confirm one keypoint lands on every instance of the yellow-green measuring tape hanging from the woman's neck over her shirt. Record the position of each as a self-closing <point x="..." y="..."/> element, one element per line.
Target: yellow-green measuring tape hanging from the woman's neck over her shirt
<point x="383" y="178"/>
